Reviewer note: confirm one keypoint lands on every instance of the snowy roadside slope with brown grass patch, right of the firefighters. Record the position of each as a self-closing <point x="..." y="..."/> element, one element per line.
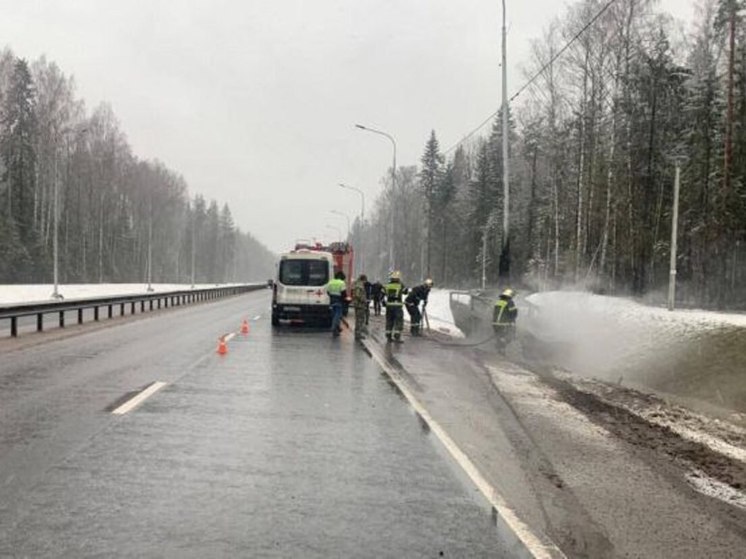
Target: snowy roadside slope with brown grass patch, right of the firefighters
<point x="690" y="353"/>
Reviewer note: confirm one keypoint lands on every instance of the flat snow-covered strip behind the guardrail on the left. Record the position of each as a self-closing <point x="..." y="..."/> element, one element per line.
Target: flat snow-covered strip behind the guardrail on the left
<point x="13" y="294"/>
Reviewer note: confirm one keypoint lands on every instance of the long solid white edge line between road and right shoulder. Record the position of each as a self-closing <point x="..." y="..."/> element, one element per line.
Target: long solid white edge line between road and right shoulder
<point x="536" y="548"/>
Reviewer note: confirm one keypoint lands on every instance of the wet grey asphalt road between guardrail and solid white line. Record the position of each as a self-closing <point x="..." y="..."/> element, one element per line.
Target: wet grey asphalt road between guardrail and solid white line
<point x="292" y="445"/>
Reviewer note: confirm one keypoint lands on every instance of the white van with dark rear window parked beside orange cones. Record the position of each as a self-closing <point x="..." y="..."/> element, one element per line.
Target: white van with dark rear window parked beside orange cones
<point x="299" y="292"/>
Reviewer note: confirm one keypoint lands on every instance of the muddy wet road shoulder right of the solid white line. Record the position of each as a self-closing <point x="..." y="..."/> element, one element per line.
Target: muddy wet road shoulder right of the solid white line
<point x="591" y="492"/>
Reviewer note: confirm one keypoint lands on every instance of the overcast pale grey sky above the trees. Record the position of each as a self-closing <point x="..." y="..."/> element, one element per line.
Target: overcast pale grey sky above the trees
<point x="255" y="102"/>
